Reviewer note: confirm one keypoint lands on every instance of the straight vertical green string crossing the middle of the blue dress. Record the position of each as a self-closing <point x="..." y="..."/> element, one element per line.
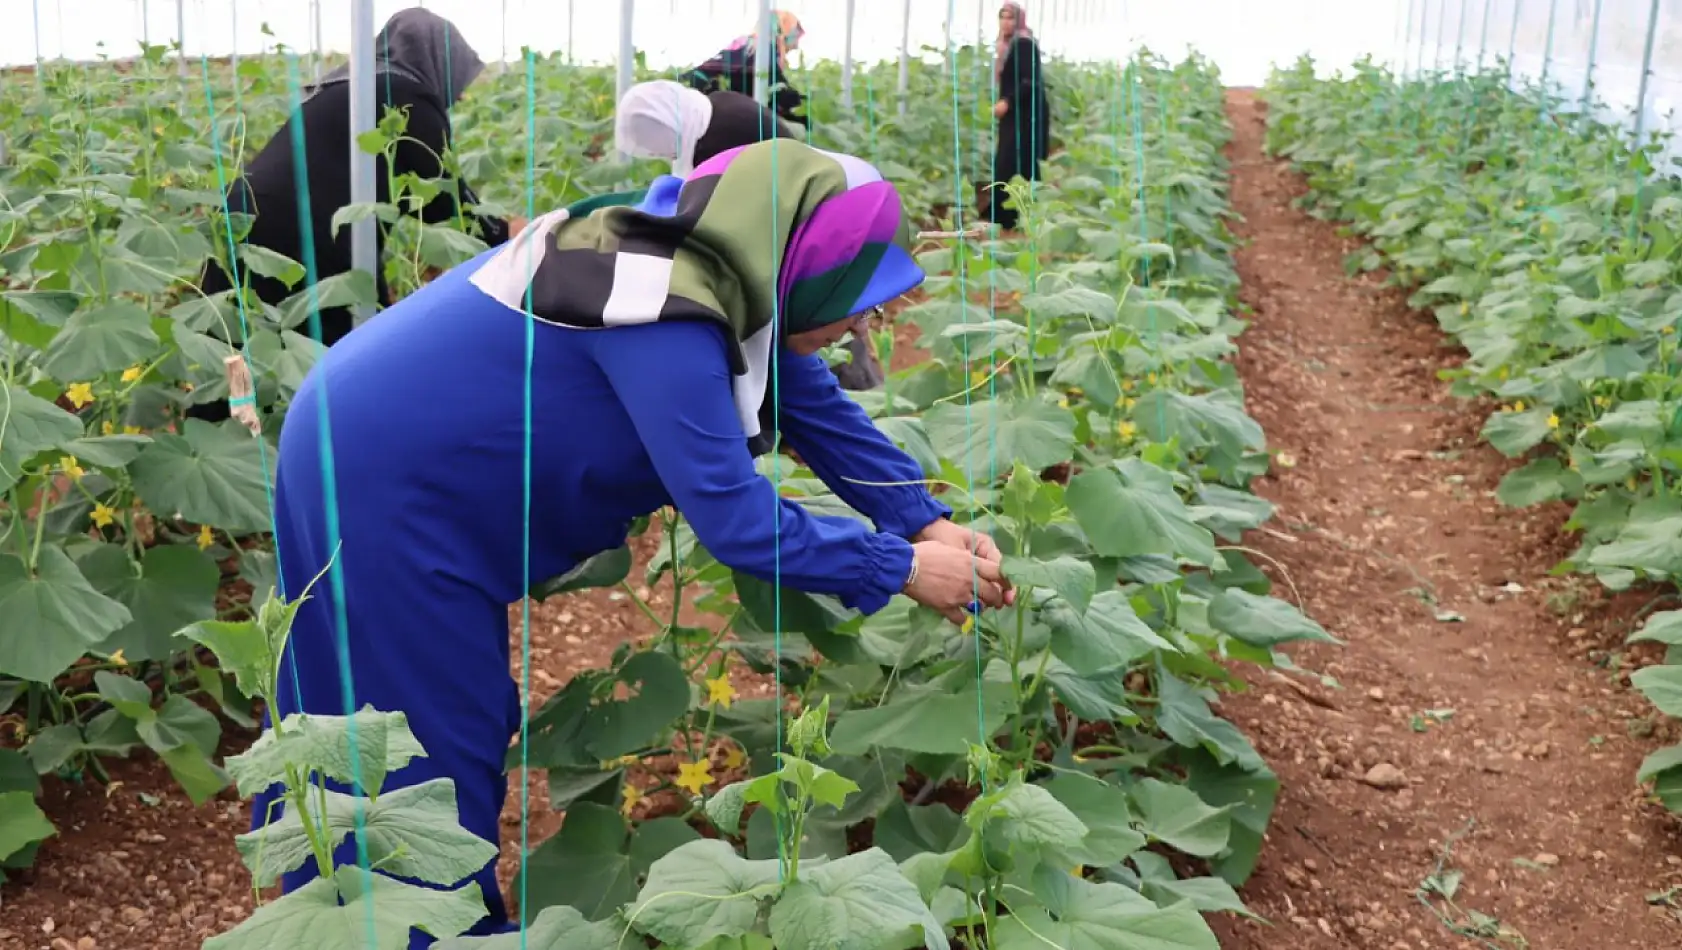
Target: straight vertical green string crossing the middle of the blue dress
<point x="526" y="490"/>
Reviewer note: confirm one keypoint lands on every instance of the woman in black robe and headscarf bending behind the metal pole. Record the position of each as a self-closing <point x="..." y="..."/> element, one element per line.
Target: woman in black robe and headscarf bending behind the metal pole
<point x="421" y="68"/>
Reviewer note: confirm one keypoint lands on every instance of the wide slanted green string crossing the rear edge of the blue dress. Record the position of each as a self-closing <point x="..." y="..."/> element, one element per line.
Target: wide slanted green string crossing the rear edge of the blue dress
<point x="331" y="485"/>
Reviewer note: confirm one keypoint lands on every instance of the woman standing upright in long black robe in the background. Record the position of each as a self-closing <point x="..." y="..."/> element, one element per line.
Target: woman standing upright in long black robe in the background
<point x="1023" y="113"/>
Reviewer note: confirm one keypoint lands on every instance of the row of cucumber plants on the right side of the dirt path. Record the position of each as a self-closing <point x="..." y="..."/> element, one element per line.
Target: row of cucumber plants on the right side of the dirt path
<point x="1547" y="243"/>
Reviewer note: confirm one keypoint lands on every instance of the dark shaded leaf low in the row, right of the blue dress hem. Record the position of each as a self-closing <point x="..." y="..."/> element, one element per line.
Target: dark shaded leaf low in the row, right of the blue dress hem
<point x="596" y="862"/>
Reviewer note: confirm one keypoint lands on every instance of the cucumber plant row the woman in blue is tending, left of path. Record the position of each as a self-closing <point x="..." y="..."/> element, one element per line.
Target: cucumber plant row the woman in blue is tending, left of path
<point x="1052" y="774"/>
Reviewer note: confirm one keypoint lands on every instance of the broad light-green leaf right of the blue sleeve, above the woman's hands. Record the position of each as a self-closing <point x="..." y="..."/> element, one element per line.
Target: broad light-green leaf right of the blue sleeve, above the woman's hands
<point x="995" y="433"/>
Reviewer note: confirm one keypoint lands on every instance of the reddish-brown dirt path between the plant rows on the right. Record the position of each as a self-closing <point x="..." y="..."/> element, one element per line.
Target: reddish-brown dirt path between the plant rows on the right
<point x="1464" y="663"/>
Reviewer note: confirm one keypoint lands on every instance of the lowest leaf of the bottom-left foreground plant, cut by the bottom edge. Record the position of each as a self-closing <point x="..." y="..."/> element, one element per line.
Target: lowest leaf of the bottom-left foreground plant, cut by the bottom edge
<point x="334" y="916"/>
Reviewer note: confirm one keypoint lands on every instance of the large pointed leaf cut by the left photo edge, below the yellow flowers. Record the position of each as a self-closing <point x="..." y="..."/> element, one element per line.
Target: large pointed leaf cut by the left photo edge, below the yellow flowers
<point x="51" y="620"/>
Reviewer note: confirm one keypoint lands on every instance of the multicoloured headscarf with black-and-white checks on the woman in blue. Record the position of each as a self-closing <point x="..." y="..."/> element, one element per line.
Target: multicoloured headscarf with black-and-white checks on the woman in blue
<point x="766" y="240"/>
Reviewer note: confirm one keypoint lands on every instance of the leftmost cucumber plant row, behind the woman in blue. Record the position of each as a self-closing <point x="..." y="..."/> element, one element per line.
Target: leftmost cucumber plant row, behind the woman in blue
<point x="120" y="520"/>
